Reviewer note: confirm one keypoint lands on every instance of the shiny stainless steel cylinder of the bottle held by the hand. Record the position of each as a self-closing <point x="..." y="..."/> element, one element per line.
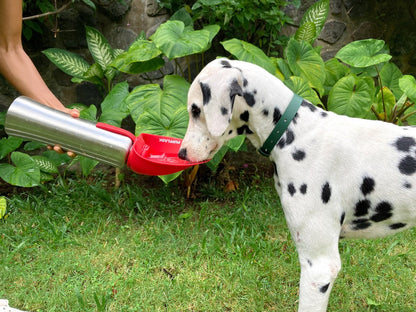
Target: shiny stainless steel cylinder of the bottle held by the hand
<point x="31" y="120"/>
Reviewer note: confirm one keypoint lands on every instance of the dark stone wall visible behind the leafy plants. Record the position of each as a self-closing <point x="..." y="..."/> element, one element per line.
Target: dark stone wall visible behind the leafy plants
<point x="122" y="21"/>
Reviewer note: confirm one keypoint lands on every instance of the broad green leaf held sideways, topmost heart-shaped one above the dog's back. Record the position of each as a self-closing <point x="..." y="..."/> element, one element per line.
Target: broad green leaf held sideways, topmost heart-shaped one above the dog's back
<point x="363" y="53"/>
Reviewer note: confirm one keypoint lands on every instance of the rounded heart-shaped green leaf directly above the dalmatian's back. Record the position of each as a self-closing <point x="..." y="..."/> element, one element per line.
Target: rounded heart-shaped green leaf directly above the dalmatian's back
<point x="352" y="96"/>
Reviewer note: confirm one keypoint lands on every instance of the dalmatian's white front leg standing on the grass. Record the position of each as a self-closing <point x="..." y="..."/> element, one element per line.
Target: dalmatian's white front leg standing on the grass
<point x="316" y="236"/>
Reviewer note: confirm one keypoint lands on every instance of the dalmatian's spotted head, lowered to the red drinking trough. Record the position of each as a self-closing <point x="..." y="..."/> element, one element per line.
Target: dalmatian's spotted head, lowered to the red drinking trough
<point x="211" y="99"/>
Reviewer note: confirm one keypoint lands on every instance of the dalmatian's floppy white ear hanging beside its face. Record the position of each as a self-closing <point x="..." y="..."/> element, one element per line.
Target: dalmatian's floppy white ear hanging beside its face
<point x="219" y="110"/>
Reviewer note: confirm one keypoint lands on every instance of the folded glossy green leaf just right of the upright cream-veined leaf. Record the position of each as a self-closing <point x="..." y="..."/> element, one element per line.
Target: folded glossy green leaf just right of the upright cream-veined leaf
<point x="142" y="56"/>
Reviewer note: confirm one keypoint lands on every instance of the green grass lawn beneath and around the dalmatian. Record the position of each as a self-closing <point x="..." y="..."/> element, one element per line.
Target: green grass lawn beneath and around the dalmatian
<point x="85" y="247"/>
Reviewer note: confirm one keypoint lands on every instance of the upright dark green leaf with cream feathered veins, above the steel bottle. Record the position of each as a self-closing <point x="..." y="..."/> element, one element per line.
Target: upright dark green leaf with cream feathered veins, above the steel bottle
<point x="99" y="47"/>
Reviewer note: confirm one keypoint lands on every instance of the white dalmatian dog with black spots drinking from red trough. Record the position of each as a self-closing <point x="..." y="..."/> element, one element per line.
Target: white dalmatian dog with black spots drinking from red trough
<point x="336" y="176"/>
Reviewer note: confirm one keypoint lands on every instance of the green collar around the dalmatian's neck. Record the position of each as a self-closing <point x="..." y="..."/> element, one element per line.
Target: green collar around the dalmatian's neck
<point x="281" y="126"/>
